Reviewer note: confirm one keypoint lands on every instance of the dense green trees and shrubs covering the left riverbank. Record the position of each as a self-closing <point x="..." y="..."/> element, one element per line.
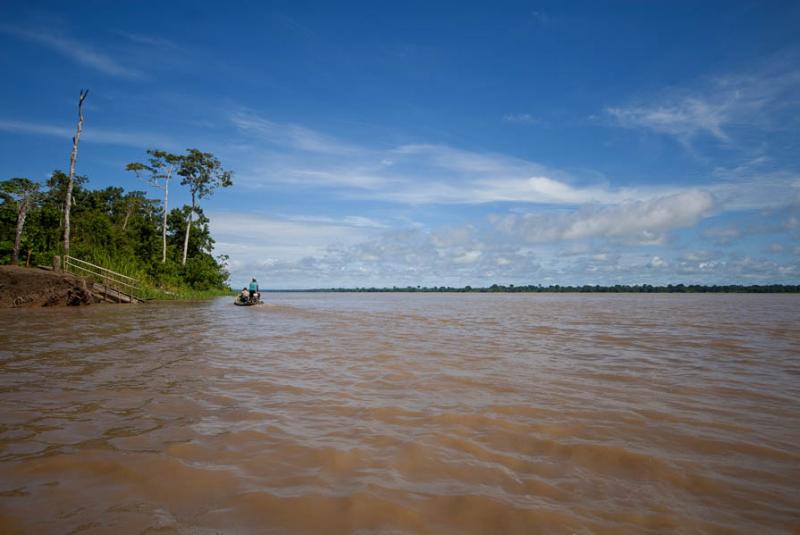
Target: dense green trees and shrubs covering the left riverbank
<point x="170" y="252"/>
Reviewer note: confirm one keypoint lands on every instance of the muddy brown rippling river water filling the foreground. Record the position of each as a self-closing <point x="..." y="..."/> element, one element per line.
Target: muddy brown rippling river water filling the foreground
<point x="404" y="413"/>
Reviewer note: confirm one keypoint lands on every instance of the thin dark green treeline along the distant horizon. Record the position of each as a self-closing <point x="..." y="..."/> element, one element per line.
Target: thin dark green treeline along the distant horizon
<point x="556" y="288"/>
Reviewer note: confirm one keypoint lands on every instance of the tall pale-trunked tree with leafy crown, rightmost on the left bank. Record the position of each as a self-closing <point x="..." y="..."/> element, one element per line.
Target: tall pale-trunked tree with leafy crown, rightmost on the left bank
<point x="203" y="173"/>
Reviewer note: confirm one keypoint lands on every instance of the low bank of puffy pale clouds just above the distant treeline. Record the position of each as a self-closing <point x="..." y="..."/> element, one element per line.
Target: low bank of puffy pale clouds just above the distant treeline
<point x="461" y="255"/>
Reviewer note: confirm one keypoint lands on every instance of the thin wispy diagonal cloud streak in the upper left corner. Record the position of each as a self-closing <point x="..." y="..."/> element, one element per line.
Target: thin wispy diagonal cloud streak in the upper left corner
<point x="75" y="50"/>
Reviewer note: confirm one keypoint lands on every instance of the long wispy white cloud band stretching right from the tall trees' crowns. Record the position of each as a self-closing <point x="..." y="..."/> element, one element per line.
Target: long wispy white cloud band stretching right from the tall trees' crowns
<point x="430" y="173"/>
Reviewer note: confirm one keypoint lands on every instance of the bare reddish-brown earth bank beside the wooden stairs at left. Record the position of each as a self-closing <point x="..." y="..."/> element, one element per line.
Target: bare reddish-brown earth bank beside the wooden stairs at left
<point x="33" y="287"/>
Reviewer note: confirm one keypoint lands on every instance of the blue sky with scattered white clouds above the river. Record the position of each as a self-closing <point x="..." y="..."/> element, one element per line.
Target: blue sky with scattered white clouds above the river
<point x="436" y="143"/>
